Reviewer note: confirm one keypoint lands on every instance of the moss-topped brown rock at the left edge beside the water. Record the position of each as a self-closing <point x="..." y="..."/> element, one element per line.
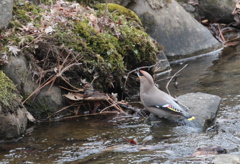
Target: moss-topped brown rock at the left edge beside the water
<point x="13" y="116"/>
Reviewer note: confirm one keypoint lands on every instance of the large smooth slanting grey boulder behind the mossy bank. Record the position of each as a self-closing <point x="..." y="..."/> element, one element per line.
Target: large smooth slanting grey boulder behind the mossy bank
<point x="174" y="28"/>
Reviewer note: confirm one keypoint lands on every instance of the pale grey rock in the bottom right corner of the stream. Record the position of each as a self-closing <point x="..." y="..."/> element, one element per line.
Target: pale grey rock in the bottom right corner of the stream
<point x="227" y="159"/>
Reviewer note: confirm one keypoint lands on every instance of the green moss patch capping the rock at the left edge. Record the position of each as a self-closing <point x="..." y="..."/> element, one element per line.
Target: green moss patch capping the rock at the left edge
<point x="7" y="91"/>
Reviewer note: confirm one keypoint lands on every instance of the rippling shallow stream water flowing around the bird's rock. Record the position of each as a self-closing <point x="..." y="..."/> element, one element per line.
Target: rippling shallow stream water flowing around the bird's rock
<point x="102" y="138"/>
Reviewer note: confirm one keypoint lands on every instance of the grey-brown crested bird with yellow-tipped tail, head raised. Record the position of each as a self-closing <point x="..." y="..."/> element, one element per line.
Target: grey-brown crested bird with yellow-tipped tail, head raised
<point x="157" y="101"/>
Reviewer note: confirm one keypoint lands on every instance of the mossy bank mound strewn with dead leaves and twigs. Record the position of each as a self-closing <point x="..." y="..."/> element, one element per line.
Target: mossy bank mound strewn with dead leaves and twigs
<point x="107" y="42"/>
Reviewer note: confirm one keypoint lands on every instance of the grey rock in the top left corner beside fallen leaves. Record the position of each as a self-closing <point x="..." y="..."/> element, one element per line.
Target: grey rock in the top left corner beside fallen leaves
<point x="6" y="7"/>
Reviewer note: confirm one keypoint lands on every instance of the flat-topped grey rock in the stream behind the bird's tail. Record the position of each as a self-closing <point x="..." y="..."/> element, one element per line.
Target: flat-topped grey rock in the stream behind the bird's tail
<point x="202" y="105"/>
